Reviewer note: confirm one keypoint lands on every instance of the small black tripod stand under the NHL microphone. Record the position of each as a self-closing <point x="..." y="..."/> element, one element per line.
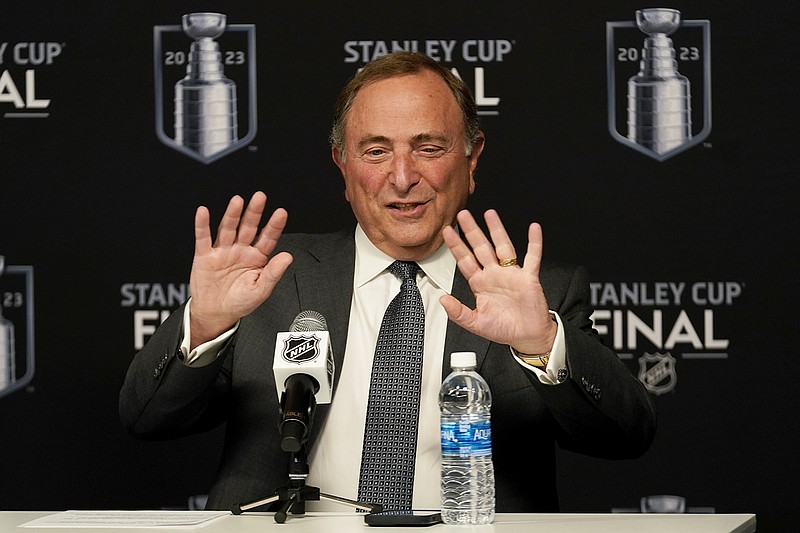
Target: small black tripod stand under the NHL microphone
<point x="296" y="493"/>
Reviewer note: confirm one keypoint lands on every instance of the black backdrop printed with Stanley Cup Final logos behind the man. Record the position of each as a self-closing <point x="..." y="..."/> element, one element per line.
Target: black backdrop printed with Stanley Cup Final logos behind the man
<point x="693" y="258"/>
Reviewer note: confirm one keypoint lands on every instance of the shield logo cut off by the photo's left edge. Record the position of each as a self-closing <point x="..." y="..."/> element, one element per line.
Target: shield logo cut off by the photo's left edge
<point x="16" y="327"/>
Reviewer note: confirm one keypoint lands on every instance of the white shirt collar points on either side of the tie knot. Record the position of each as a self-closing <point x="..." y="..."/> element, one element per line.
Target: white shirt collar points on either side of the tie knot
<point x="439" y="267"/>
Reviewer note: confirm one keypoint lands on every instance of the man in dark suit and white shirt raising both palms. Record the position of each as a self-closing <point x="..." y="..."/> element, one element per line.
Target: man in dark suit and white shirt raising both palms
<point x="406" y="140"/>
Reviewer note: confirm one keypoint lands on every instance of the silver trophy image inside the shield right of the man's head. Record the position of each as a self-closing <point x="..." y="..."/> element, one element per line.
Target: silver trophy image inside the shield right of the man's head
<point x="659" y="108"/>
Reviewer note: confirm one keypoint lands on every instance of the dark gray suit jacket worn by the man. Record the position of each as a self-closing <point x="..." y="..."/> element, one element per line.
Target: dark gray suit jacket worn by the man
<point x="599" y="408"/>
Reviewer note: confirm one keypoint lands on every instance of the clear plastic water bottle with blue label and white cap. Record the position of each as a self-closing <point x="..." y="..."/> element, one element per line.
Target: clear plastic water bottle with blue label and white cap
<point x="467" y="471"/>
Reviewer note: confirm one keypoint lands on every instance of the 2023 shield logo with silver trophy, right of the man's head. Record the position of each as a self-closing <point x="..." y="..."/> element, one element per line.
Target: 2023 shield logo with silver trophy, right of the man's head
<point x="659" y="82"/>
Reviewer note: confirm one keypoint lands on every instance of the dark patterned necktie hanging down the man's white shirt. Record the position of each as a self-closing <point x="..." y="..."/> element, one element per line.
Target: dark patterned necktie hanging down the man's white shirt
<point x="390" y="435"/>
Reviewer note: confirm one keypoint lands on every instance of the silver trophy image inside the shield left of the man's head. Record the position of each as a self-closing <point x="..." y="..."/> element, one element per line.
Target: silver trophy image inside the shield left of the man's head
<point x="205" y="100"/>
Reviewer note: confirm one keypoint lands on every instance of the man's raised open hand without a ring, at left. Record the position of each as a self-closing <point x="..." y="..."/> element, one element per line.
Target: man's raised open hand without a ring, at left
<point x="236" y="274"/>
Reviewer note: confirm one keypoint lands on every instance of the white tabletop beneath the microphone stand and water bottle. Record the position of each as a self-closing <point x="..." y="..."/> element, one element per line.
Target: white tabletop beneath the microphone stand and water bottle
<point x="503" y="523"/>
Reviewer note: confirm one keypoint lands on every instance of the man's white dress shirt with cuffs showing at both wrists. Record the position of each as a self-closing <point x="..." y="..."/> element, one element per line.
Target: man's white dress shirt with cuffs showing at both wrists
<point x="335" y="459"/>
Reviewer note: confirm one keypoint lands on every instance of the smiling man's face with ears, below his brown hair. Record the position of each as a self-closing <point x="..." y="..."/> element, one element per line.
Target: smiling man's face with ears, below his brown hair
<point x="406" y="171"/>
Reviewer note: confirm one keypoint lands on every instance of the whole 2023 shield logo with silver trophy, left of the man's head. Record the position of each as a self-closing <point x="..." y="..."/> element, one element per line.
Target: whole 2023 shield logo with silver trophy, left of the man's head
<point x="205" y="76"/>
